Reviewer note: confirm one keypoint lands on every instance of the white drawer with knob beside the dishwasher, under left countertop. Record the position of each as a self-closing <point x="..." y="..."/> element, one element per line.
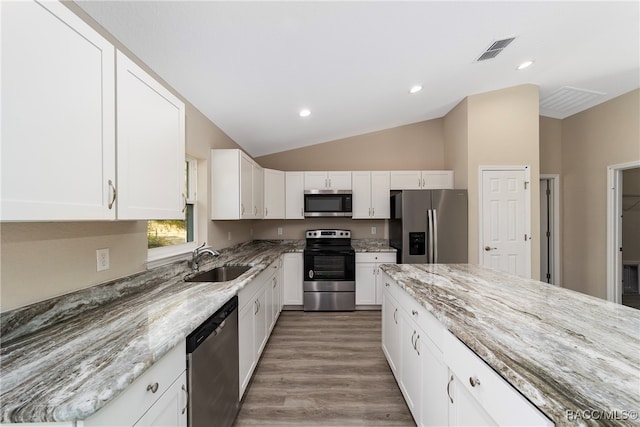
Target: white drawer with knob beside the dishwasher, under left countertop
<point x="135" y="400"/>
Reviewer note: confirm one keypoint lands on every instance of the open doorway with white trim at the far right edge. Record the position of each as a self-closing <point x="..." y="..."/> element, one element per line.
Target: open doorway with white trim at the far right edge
<point x="623" y="222"/>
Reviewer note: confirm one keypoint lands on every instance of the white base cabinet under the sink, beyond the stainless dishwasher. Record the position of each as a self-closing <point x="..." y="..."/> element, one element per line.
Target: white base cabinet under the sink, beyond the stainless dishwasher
<point x="255" y="321"/>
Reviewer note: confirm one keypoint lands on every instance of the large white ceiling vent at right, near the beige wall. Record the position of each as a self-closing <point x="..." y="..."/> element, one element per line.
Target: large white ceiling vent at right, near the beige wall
<point x="567" y="101"/>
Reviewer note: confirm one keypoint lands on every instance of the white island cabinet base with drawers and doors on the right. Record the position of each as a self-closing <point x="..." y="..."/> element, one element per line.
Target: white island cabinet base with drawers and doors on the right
<point x="441" y="379"/>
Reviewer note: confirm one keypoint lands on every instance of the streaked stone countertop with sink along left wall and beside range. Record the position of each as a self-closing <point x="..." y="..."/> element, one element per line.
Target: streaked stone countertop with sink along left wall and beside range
<point x="64" y="358"/>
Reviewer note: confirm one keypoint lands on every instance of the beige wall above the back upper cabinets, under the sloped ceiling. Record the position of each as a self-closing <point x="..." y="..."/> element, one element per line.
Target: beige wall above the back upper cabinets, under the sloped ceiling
<point x="418" y="146"/>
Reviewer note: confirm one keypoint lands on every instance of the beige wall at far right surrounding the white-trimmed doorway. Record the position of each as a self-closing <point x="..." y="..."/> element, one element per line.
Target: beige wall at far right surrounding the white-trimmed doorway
<point x="604" y="135"/>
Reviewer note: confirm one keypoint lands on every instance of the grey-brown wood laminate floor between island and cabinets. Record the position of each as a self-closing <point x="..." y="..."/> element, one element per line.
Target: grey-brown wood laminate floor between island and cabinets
<point x="324" y="369"/>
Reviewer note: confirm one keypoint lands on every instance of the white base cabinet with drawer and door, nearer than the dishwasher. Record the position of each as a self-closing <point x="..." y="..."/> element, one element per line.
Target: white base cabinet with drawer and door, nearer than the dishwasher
<point x="156" y="398"/>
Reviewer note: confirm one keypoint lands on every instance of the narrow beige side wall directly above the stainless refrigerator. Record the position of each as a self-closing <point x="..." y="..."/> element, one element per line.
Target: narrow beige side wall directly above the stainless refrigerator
<point x="456" y="135"/>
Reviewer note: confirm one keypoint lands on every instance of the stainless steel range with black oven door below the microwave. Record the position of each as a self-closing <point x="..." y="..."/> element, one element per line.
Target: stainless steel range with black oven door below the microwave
<point x="329" y="271"/>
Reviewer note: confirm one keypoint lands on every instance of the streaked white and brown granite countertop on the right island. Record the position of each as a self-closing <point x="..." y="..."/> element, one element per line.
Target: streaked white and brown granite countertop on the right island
<point x="563" y="350"/>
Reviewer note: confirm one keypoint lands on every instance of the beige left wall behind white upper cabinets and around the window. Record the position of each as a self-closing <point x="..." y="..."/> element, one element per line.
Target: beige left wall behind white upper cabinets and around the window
<point x="43" y="260"/>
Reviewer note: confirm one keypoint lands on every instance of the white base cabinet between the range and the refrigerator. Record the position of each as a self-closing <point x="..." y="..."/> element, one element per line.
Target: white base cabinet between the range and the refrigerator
<point x="368" y="285"/>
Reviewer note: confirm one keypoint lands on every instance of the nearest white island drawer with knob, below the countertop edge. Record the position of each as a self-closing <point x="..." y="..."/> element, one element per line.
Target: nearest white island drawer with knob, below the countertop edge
<point x="497" y="397"/>
